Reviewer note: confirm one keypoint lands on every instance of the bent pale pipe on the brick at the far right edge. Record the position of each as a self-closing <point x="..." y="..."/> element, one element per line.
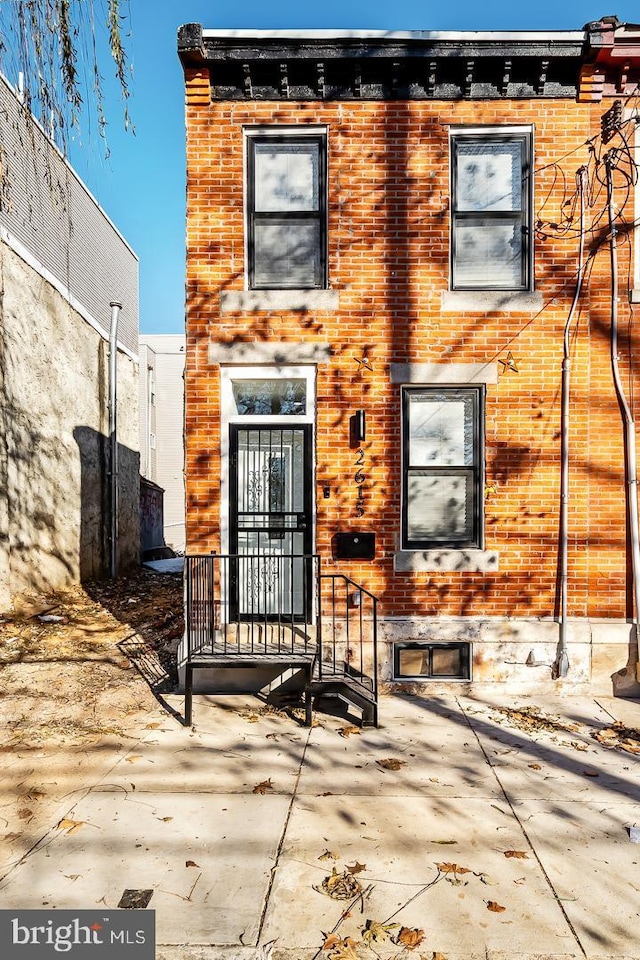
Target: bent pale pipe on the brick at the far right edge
<point x="629" y="425"/>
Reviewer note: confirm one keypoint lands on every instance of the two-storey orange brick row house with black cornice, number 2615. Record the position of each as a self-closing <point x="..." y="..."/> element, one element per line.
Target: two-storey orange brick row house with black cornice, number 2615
<point x="404" y="361"/>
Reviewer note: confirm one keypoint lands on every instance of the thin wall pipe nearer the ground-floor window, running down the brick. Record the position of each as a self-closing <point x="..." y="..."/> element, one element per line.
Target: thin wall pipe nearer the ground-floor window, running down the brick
<point x="562" y="663"/>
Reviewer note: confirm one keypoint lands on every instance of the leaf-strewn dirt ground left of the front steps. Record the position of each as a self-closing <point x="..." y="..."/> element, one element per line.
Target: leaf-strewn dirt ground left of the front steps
<point x="87" y="661"/>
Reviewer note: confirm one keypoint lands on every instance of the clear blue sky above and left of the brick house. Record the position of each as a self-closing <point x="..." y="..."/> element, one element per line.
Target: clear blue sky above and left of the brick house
<point x="142" y="183"/>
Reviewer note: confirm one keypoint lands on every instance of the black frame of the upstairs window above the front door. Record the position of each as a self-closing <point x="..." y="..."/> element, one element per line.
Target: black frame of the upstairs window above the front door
<point x="304" y="216"/>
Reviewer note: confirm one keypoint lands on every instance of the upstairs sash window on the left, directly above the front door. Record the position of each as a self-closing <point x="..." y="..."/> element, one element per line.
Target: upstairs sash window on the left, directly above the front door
<point x="287" y="211"/>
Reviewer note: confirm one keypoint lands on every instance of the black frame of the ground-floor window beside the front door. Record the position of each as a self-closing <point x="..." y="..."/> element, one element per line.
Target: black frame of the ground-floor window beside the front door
<point x="475" y="471"/>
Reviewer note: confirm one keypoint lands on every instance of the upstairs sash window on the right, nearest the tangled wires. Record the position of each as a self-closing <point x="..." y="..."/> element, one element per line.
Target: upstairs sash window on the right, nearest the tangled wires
<point x="491" y="247"/>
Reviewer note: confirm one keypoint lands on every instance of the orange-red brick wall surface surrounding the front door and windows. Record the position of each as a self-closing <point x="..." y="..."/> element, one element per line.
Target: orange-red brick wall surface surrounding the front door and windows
<point x="388" y="258"/>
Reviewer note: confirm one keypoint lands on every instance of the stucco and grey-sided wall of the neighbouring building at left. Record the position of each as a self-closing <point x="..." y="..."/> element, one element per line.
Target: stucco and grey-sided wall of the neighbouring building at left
<point x="61" y="264"/>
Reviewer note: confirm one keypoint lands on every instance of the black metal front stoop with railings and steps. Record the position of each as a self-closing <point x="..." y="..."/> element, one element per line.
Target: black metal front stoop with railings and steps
<point x="316" y="632"/>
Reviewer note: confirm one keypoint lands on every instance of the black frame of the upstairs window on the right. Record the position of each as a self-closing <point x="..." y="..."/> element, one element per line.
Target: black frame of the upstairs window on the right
<point x="524" y="215"/>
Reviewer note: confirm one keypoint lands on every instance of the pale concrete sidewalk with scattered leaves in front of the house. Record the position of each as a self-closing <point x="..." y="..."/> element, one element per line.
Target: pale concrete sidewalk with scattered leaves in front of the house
<point x="483" y="834"/>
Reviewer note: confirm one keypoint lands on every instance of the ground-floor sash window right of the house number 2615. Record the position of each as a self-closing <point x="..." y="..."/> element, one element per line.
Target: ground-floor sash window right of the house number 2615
<point x="443" y="440"/>
